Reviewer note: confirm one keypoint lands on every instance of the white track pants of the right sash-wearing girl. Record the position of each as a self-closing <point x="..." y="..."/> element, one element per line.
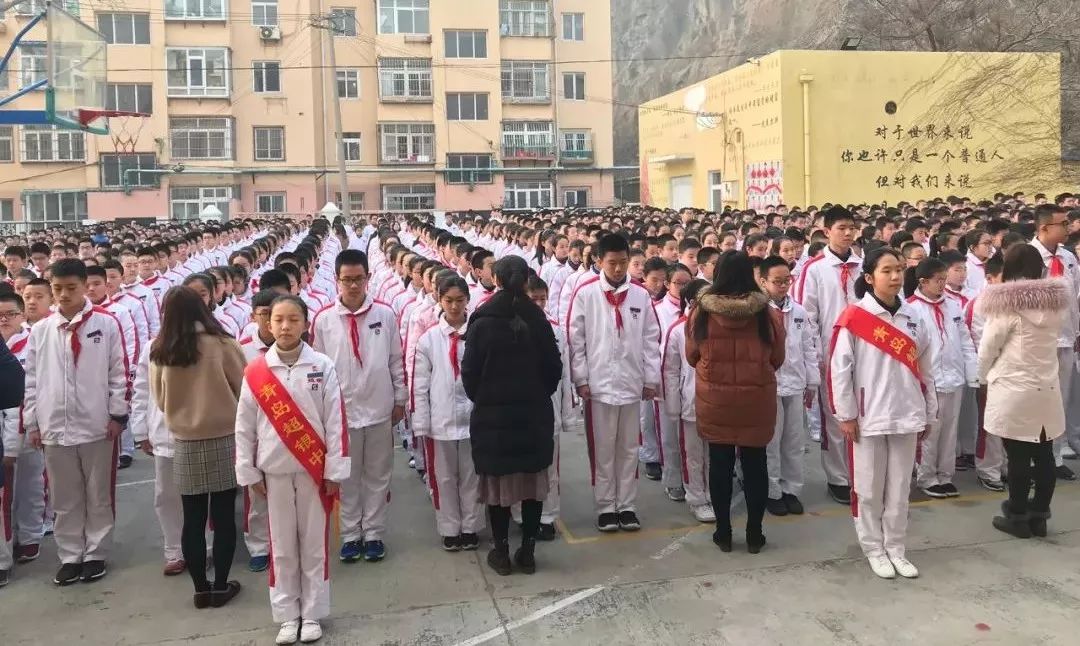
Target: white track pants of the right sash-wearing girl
<point x="882" y="476"/>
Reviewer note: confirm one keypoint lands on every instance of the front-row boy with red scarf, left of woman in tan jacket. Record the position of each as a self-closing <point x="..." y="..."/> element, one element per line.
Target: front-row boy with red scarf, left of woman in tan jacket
<point x="77" y="408"/>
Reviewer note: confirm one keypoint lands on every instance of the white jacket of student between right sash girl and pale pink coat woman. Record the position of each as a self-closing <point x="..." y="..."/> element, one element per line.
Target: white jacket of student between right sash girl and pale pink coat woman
<point x="956" y="364"/>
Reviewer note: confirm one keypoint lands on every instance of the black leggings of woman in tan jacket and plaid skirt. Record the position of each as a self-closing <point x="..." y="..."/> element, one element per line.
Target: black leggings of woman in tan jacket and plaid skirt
<point x="222" y="509"/>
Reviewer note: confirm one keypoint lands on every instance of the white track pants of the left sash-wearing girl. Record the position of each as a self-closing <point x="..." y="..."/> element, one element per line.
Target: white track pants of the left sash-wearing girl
<point x="300" y="541"/>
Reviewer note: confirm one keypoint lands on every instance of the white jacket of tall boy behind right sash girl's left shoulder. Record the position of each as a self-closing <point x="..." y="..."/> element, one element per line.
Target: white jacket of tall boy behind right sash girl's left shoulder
<point x="821" y="293"/>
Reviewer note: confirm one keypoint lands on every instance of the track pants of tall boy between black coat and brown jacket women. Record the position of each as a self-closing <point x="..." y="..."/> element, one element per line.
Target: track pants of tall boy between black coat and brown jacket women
<point x="614" y="436"/>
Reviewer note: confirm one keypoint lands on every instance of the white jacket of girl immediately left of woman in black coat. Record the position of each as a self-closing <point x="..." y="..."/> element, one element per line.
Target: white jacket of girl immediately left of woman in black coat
<point x="442" y="407"/>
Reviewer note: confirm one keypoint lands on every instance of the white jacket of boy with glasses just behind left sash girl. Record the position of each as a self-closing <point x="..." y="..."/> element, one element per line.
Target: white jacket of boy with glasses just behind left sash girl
<point x="375" y="384"/>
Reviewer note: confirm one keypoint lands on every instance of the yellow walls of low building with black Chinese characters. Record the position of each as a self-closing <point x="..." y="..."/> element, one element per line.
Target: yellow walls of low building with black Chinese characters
<point x="996" y="123"/>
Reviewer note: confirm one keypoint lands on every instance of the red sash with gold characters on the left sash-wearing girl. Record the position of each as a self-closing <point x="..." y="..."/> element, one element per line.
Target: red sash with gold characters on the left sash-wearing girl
<point x="294" y="430"/>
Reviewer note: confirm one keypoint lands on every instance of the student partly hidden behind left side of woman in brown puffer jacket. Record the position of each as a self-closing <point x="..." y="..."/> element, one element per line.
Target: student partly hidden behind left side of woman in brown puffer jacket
<point x="680" y="387"/>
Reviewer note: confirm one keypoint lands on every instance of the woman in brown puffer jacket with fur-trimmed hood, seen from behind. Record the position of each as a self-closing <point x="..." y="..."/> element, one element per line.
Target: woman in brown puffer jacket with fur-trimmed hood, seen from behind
<point x="736" y="344"/>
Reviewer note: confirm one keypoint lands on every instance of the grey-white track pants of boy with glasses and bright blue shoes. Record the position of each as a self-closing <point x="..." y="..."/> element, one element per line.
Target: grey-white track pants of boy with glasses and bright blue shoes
<point x="366" y="496"/>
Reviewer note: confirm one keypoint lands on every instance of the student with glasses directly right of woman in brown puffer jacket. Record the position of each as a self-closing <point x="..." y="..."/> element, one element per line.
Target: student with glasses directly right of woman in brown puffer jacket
<point x="798" y="381"/>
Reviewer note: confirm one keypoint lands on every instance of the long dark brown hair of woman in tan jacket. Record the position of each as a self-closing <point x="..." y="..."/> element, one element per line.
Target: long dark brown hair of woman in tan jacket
<point x="178" y="343"/>
